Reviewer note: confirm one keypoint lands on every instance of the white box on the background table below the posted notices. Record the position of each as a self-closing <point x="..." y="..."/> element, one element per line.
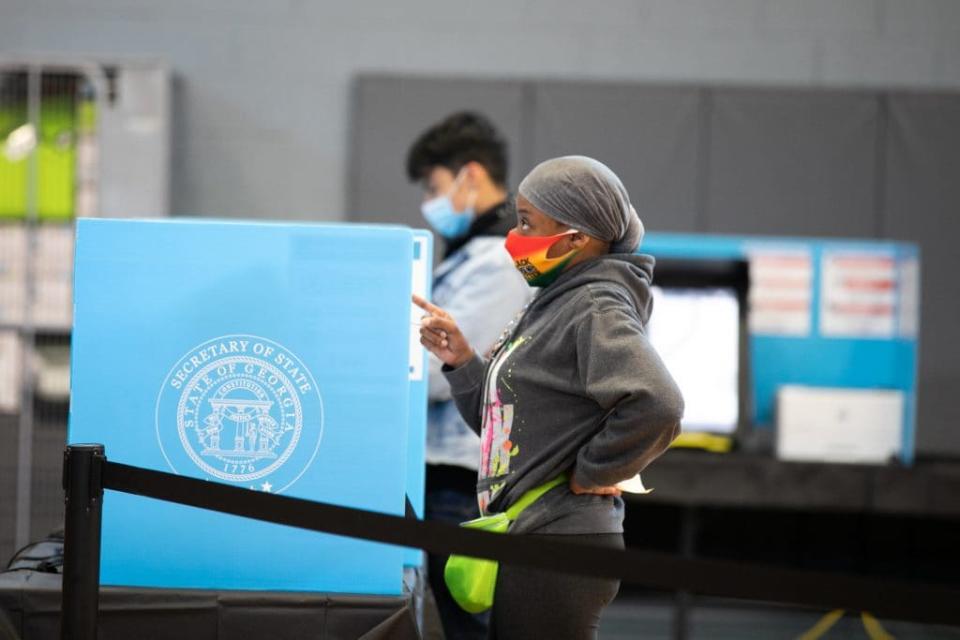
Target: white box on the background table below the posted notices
<point x="839" y="425"/>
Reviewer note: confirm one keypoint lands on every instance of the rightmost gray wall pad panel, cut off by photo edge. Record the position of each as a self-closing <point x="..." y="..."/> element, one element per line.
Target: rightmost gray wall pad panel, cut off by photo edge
<point x="921" y="204"/>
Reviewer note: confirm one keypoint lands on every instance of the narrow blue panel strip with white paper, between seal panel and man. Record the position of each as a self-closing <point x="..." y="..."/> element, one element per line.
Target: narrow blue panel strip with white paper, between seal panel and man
<point x="417" y="429"/>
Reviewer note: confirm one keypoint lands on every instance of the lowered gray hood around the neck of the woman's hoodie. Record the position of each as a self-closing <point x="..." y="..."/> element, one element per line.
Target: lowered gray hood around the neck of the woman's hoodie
<point x="631" y="272"/>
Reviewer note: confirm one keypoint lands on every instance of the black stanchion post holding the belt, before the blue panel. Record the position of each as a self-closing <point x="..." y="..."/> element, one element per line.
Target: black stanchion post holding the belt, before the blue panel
<point x="83" y="485"/>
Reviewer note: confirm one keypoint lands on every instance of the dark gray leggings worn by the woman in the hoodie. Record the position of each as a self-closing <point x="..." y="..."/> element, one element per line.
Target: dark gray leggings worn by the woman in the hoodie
<point x="532" y="604"/>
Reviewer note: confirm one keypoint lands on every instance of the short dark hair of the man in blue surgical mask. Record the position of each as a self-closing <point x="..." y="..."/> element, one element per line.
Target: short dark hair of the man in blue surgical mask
<point x="460" y="138"/>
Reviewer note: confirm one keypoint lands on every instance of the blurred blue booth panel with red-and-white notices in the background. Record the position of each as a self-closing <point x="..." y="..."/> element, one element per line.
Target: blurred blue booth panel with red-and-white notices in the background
<point x="837" y="342"/>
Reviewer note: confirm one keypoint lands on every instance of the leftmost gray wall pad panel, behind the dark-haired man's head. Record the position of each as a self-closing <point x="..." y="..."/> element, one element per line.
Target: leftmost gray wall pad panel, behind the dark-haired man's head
<point x="389" y="113"/>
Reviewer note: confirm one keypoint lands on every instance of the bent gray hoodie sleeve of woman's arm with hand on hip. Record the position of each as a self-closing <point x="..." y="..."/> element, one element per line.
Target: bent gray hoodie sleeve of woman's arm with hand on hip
<point x="623" y="374"/>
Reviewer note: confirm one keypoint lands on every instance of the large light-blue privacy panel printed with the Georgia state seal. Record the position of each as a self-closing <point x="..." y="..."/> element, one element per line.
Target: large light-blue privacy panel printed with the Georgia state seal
<point x="273" y="357"/>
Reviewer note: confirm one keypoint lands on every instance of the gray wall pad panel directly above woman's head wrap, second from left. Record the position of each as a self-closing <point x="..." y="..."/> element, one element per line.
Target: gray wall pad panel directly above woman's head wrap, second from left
<point x="648" y="135"/>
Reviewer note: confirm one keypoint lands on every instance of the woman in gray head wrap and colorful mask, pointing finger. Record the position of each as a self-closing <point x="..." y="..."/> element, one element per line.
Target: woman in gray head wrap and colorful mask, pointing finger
<point x="574" y="387"/>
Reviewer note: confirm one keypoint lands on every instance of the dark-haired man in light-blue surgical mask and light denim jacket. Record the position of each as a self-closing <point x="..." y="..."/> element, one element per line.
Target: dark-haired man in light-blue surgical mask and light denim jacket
<point x="461" y="165"/>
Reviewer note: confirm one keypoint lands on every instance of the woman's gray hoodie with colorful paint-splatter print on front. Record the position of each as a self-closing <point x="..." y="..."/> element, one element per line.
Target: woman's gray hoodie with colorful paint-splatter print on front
<point x="576" y="387"/>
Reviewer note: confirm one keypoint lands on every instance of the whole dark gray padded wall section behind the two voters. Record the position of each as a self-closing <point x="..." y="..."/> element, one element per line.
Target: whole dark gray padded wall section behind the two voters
<point x="832" y="163"/>
